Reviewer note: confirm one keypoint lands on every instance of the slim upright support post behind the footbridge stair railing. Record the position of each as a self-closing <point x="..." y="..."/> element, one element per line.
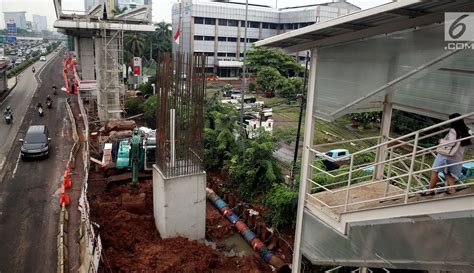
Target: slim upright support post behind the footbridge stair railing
<point x="382" y="151"/>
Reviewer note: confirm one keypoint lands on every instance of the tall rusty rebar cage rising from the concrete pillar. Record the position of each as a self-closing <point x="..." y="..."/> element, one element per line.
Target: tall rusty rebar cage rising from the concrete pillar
<point x="180" y="121"/>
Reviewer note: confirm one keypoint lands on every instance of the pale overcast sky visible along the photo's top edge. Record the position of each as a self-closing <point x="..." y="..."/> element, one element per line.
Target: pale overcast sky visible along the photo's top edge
<point x="161" y="8"/>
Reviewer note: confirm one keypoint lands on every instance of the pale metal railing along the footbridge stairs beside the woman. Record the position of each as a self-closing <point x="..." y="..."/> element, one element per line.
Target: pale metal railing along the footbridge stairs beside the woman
<point x="406" y="171"/>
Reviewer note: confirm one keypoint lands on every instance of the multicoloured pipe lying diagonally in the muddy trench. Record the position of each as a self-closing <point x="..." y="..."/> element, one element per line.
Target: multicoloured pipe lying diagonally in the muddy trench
<point x="249" y="236"/>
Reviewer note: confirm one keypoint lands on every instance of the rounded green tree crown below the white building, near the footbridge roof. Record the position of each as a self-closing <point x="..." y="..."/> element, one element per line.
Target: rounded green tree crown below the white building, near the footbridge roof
<point x="258" y="58"/>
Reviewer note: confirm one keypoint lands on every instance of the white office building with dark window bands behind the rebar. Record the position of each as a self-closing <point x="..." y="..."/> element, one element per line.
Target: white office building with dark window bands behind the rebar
<point x="216" y="29"/>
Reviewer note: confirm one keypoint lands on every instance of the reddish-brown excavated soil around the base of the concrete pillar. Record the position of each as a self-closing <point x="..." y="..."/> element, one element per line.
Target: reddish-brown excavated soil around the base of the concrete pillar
<point x="131" y="243"/>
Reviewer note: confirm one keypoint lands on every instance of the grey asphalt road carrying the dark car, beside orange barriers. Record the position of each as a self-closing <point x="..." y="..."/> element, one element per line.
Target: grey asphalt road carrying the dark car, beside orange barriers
<point x="29" y="195"/>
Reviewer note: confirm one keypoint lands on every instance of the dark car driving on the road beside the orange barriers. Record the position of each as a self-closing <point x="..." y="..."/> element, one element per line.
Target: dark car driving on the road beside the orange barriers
<point x="36" y="142"/>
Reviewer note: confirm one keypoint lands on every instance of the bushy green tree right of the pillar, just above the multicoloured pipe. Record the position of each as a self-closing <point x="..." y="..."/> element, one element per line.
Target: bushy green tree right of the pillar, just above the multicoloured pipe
<point x="255" y="170"/>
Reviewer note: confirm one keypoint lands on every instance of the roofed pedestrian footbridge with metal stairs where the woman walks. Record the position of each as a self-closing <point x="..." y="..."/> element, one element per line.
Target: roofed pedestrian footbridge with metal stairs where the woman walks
<point x="370" y="212"/>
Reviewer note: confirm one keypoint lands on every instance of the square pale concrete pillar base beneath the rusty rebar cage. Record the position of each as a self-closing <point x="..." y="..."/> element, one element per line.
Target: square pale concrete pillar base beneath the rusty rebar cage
<point x="179" y="205"/>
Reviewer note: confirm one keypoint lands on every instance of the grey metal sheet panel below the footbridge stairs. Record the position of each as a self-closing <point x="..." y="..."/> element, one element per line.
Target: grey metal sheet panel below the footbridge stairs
<point x="440" y="242"/>
